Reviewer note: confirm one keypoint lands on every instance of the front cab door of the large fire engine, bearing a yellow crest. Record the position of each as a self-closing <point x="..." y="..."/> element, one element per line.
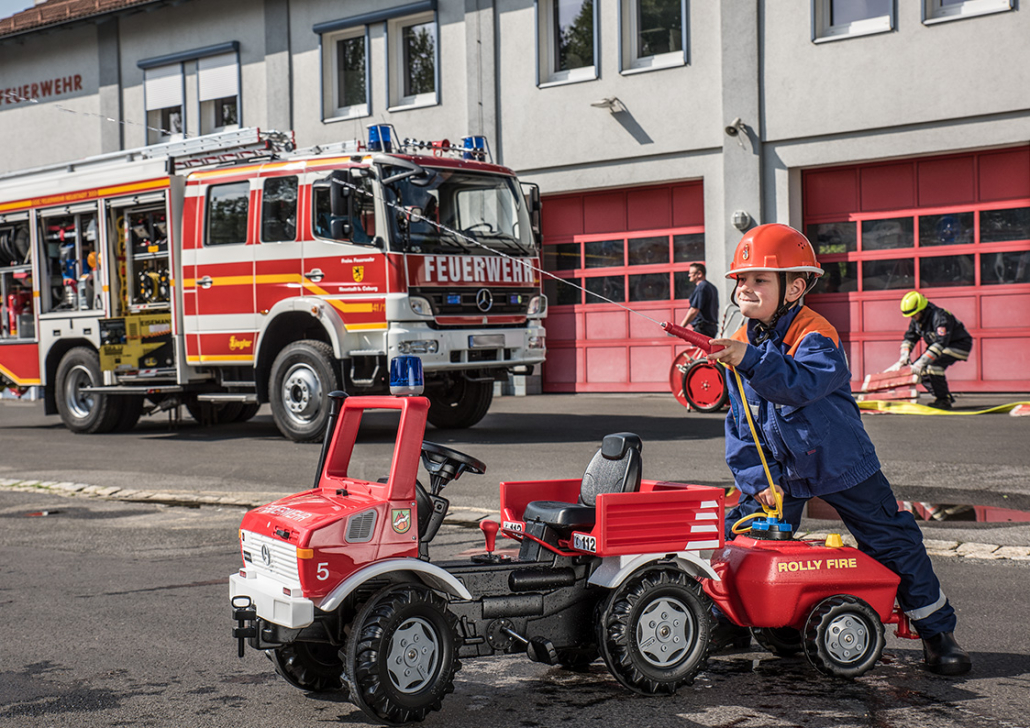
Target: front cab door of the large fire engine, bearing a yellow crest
<point x="351" y="276"/>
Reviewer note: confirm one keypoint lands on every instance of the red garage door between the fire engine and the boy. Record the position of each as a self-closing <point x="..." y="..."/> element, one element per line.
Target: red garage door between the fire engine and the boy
<point x="632" y="247"/>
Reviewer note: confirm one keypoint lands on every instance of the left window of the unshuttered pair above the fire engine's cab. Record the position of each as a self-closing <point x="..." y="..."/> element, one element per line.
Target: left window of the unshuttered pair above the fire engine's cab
<point x="346" y="74"/>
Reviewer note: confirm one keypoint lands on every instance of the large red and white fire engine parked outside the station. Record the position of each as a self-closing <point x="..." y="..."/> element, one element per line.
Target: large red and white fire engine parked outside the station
<point x="227" y="271"/>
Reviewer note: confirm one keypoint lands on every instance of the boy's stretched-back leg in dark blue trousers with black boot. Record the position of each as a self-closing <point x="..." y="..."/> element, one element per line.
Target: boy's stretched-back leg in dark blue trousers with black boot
<point x="891" y="536"/>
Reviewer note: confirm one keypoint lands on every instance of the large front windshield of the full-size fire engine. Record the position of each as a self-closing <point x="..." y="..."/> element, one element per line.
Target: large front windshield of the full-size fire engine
<point x="440" y="216"/>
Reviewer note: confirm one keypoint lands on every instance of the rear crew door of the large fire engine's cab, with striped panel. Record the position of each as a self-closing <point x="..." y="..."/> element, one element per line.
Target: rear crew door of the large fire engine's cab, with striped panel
<point x="226" y="318"/>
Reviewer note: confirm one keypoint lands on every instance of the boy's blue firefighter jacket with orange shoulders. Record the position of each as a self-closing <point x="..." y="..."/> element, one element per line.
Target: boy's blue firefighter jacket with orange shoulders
<point x="798" y="386"/>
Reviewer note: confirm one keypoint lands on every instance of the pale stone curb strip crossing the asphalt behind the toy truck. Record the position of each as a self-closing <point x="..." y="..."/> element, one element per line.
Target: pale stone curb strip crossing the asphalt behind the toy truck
<point x="459" y="515"/>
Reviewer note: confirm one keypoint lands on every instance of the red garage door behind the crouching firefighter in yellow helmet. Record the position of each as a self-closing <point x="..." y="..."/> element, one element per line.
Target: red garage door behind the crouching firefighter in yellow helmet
<point x="957" y="228"/>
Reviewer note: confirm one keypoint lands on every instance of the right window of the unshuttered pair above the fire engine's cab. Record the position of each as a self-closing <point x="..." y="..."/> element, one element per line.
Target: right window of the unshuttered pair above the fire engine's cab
<point x="414" y="60"/>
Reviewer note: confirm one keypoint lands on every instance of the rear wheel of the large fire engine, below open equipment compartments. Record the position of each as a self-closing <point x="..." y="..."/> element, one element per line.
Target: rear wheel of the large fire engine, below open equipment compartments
<point x="80" y="411"/>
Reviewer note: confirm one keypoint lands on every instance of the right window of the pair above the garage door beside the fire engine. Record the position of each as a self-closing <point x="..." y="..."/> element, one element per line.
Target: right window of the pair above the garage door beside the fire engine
<point x="654" y="34"/>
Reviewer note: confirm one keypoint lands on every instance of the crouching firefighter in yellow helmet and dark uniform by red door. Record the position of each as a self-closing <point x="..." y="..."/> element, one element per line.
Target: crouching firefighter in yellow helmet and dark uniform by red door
<point x="947" y="342"/>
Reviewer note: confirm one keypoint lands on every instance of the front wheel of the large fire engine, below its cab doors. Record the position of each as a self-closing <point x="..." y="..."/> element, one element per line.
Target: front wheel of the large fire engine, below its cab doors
<point x="302" y="377"/>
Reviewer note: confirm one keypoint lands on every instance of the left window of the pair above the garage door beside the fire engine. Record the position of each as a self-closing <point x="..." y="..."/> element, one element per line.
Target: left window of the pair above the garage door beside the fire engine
<point x="567" y="41"/>
